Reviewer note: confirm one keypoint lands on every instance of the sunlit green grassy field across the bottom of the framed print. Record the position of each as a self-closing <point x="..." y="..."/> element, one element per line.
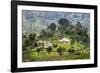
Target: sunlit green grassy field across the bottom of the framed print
<point x="68" y="53"/>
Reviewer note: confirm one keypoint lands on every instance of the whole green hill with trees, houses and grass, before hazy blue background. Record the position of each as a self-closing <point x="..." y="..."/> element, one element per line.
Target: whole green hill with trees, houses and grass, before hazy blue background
<point x="59" y="41"/>
